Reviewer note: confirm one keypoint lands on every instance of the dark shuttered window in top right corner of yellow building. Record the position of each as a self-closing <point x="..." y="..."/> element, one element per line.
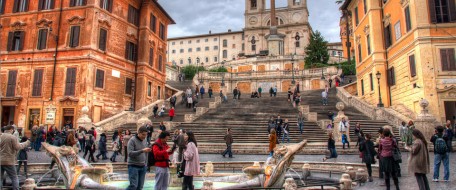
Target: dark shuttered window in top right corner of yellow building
<point x="442" y="11"/>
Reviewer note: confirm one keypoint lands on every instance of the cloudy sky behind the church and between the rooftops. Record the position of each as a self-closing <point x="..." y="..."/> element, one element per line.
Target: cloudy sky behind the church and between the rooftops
<point x="199" y="16"/>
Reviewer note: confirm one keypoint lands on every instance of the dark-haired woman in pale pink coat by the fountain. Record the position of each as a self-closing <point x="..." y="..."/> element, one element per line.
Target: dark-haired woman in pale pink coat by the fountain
<point x="191" y="161"/>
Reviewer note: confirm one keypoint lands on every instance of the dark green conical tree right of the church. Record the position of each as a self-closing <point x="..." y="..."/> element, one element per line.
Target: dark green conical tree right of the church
<point x="317" y="50"/>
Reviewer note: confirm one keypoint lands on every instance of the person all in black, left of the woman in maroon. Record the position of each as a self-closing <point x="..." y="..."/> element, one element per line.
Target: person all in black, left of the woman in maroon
<point x="366" y="147"/>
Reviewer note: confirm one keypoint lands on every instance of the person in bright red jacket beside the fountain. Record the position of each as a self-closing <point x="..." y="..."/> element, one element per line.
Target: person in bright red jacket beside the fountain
<point x="159" y="158"/>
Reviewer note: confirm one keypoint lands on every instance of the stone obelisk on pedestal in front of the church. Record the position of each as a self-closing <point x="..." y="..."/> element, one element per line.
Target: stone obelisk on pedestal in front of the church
<point x="275" y="40"/>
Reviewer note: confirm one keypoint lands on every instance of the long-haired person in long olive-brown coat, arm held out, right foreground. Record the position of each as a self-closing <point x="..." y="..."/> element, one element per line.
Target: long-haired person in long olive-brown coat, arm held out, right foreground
<point x="418" y="162"/>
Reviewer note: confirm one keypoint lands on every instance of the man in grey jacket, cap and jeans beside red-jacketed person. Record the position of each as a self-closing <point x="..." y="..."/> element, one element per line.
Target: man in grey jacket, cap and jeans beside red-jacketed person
<point x="137" y="159"/>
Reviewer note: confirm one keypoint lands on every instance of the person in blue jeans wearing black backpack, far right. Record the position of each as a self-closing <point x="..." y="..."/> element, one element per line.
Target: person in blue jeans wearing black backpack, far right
<point x="441" y="154"/>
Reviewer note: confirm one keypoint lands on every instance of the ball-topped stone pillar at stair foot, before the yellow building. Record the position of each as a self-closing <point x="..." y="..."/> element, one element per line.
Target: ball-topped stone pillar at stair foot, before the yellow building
<point x="425" y="122"/>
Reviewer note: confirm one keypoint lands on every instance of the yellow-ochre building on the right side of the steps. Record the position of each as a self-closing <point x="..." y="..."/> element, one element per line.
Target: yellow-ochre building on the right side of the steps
<point x="411" y="43"/>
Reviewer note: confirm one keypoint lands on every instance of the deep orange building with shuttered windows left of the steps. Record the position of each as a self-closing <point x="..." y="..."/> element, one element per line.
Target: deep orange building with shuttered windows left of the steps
<point x="61" y="55"/>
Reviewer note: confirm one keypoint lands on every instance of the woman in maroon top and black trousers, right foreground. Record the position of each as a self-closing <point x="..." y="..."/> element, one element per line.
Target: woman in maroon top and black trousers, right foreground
<point x="386" y="148"/>
